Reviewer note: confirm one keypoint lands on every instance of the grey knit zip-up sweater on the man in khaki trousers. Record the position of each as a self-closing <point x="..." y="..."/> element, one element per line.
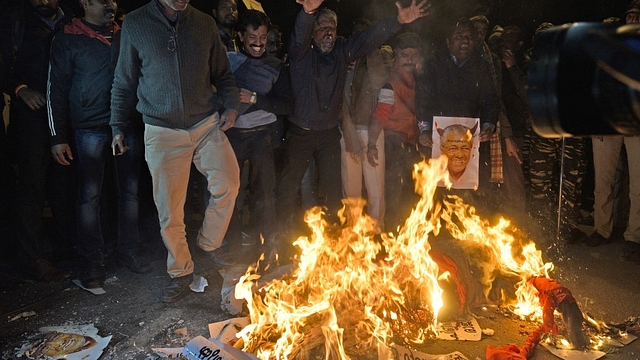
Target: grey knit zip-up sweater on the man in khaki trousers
<point x="171" y="69"/>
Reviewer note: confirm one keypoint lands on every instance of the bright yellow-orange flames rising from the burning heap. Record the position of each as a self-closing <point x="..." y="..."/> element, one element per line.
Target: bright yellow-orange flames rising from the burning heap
<point x="345" y="298"/>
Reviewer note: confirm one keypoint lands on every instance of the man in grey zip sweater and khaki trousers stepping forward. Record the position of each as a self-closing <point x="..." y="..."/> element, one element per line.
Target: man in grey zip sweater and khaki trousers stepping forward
<point x="170" y="56"/>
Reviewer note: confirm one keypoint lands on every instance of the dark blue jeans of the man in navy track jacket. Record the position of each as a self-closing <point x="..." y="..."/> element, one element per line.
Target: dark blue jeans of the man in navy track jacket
<point x="93" y="151"/>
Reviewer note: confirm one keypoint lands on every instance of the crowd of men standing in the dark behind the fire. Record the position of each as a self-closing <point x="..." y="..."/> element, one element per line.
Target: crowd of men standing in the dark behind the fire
<point x="218" y="110"/>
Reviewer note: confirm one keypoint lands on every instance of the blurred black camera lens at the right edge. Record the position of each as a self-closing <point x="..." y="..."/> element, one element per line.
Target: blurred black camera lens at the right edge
<point x="584" y="79"/>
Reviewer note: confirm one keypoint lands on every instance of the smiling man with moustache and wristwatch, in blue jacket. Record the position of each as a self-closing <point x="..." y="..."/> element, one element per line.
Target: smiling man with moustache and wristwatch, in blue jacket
<point x="265" y="92"/>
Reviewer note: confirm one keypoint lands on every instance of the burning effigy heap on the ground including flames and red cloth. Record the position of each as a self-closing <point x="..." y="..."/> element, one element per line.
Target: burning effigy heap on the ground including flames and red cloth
<point x="351" y="294"/>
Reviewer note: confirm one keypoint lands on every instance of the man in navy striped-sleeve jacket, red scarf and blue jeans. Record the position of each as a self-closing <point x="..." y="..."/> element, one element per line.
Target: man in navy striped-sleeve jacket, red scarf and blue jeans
<point x="80" y="79"/>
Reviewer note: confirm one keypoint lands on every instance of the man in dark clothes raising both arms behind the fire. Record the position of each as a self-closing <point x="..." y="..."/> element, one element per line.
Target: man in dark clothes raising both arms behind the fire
<point x="319" y="61"/>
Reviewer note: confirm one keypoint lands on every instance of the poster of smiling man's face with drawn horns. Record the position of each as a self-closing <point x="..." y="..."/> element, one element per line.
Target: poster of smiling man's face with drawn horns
<point x="456" y="138"/>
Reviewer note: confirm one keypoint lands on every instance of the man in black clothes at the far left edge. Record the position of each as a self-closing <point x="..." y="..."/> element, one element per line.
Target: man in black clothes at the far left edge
<point x="26" y="51"/>
